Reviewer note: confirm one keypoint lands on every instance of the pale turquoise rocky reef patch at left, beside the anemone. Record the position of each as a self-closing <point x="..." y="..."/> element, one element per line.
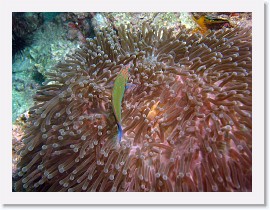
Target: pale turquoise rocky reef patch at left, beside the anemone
<point x="48" y="46"/>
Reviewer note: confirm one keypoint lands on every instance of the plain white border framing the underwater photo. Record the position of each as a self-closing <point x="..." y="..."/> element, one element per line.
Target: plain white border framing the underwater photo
<point x="257" y="196"/>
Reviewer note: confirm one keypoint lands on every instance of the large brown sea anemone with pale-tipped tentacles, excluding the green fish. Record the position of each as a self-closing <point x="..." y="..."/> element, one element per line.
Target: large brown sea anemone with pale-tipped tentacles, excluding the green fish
<point x="186" y="117"/>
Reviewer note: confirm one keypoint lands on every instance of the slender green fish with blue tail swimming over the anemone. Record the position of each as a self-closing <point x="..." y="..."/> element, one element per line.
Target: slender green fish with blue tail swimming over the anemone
<point x="118" y="91"/>
